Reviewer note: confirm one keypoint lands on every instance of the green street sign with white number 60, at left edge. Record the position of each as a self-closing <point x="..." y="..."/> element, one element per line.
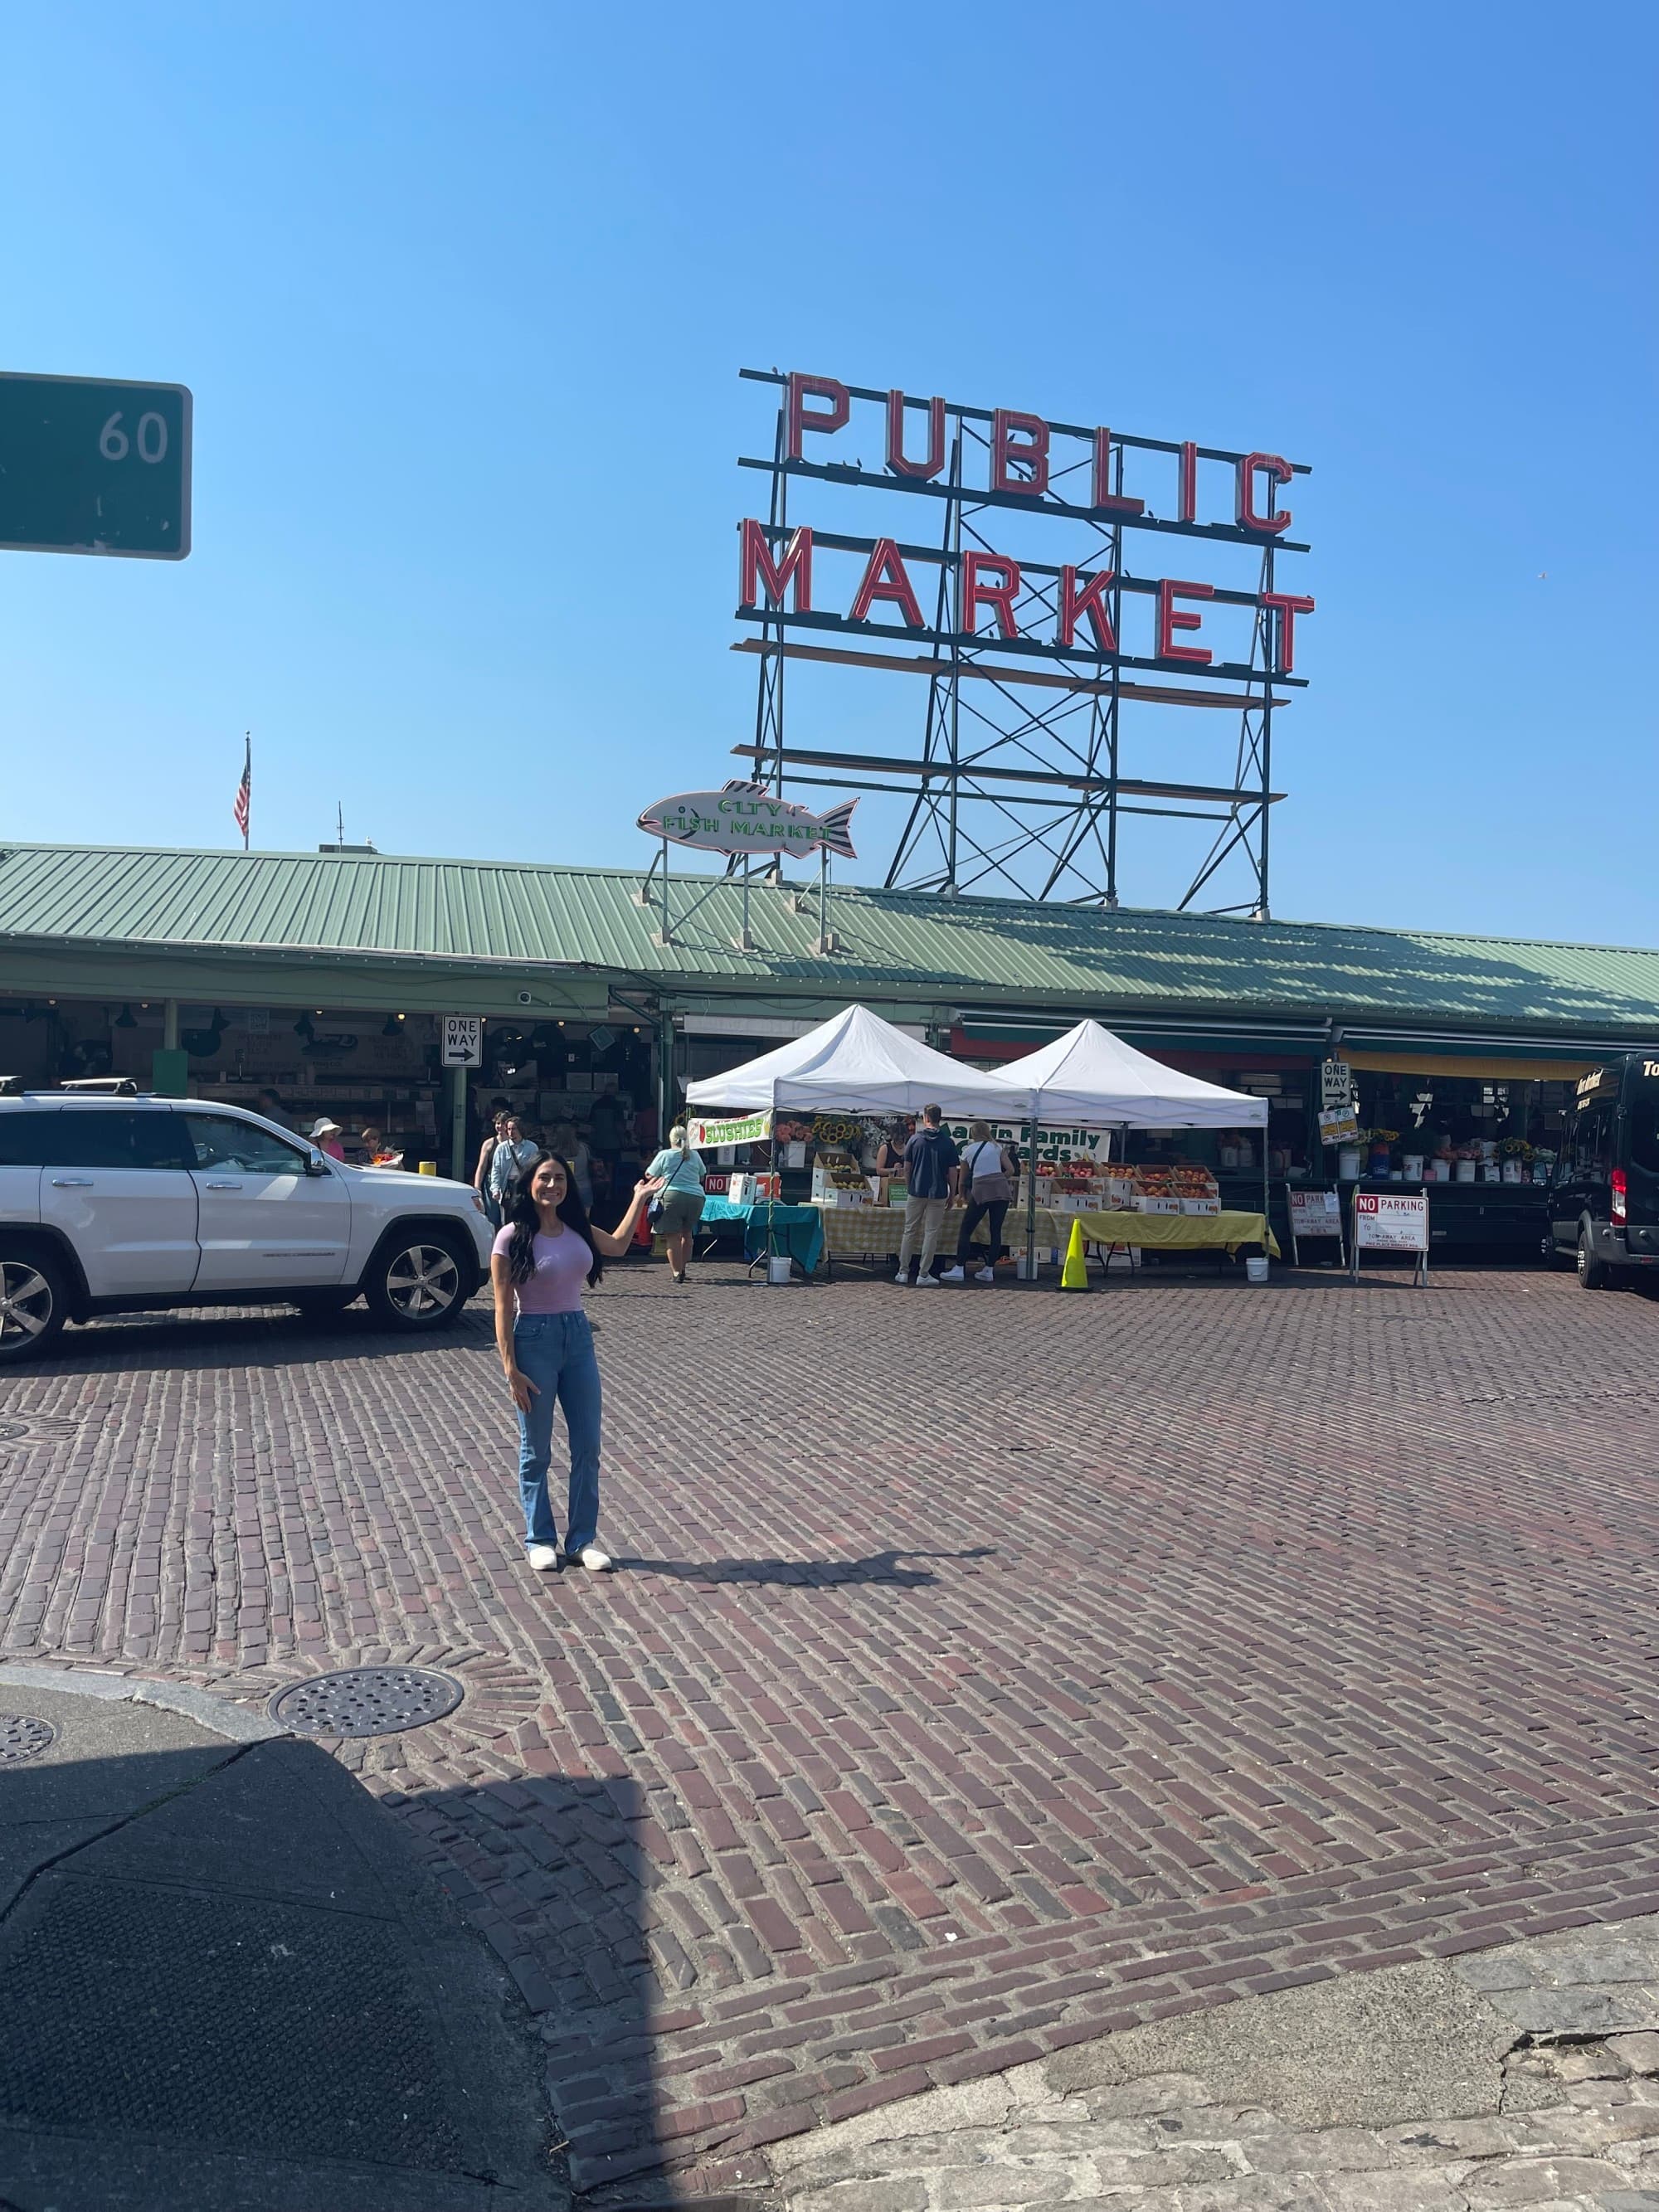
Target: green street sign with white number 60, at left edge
<point x="90" y="466"/>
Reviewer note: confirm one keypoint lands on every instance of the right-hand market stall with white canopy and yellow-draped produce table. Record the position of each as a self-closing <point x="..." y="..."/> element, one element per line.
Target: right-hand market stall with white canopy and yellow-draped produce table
<point x="1094" y="1081"/>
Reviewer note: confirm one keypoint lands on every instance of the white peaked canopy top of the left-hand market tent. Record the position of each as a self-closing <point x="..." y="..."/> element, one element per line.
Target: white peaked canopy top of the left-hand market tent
<point x="855" y="1063"/>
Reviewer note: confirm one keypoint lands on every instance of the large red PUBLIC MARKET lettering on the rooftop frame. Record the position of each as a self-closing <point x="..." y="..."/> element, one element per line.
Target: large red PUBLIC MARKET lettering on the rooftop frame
<point x="1030" y="466"/>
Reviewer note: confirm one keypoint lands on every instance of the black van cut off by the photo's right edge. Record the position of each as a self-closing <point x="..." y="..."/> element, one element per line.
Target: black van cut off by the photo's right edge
<point x="1605" y="1202"/>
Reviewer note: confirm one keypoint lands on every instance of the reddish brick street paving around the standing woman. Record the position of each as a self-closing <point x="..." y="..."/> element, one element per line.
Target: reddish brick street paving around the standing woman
<point x="1171" y="1645"/>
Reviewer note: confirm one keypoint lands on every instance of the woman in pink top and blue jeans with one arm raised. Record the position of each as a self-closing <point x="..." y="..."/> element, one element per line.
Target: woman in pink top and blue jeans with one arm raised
<point x="543" y="1258"/>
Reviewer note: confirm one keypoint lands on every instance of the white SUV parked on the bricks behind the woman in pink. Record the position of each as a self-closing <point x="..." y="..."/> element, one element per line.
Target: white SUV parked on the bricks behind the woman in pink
<point x="121" y="1204"/>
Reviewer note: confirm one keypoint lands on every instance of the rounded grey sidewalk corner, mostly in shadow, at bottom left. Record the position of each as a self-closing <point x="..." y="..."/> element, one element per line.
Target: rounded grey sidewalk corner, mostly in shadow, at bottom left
<point x="227" y="1983"/>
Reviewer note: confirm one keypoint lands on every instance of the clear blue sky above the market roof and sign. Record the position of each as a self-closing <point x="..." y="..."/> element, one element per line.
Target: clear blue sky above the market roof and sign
<point x="463" y="298"/>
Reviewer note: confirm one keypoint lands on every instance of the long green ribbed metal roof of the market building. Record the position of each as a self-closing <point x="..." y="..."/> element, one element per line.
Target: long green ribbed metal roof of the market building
<point x="893" y="943"/>
